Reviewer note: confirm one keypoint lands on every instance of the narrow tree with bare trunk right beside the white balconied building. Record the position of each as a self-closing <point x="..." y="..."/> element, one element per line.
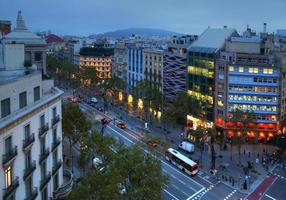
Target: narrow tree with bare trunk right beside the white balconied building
<point x="74" y="125"/>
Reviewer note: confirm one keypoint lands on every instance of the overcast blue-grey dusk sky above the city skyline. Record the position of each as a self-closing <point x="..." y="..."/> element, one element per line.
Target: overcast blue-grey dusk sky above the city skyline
<point x="84" y="17"/>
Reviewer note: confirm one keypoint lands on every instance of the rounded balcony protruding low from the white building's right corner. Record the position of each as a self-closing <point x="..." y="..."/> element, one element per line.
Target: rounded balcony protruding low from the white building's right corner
<point x="66" y="187"/>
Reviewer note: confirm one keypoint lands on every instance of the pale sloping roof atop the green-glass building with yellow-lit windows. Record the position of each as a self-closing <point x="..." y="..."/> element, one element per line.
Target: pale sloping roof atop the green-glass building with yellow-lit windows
<point x="211" y="40"/>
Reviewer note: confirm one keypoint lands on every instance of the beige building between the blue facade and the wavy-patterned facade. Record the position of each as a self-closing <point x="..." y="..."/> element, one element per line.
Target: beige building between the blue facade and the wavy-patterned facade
<point x="153" y="66"/>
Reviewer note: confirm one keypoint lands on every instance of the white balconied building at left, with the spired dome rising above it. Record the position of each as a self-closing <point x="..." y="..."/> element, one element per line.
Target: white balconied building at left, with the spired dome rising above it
<point x="30" y="124"/>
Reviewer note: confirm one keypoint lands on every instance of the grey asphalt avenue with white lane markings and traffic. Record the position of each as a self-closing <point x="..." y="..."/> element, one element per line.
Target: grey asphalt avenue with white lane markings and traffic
<point x="180" y="186"/>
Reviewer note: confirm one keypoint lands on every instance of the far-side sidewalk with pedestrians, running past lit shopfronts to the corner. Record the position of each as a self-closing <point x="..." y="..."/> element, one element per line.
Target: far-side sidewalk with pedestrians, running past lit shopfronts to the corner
<point x="229" y="171"/>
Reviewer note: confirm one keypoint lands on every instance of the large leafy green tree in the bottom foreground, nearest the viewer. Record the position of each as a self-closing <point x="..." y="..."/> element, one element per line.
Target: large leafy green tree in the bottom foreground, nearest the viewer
<point x="127" y="173"/>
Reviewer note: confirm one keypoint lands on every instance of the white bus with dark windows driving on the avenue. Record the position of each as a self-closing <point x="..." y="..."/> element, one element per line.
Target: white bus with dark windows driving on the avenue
<point x="181" y="161"/>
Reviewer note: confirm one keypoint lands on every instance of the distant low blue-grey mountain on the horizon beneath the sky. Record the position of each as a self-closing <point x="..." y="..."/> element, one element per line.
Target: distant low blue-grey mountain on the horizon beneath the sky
<point x="143" y="32"/>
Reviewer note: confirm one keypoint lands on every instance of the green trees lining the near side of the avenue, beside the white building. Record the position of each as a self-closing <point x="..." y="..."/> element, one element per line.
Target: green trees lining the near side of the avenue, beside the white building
<point x="124" y="172"/>
